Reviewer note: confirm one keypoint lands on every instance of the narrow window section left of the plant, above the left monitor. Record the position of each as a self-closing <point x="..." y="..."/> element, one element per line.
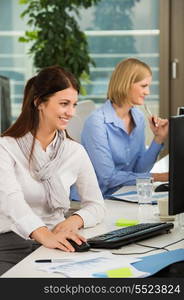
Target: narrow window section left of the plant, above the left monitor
<point x="14" y="61"/>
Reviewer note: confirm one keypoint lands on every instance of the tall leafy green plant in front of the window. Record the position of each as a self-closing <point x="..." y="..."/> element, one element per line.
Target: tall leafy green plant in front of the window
<point x="56" y="37"/>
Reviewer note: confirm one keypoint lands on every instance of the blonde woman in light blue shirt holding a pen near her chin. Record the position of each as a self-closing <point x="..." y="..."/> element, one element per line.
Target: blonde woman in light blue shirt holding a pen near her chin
<point x="113" y="135"/>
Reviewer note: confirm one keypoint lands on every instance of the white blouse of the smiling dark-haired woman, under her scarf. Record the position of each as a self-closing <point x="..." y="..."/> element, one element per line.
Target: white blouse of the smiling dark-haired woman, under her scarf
<point x="23" y="205"/>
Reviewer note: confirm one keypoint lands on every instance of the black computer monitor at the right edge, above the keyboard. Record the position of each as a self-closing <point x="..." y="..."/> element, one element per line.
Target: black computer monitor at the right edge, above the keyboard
<point x="176" y="164"/>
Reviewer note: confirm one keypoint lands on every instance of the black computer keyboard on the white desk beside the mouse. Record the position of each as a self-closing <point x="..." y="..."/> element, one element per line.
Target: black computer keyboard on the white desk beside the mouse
<point x="130" y="234"/>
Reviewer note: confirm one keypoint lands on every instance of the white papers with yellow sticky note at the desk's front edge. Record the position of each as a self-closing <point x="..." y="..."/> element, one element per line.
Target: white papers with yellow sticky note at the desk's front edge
<point x="101" y="264"/>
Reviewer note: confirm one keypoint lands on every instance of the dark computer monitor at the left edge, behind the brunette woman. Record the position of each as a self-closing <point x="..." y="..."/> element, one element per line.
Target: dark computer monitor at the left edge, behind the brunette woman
<point x="5" y="103"/>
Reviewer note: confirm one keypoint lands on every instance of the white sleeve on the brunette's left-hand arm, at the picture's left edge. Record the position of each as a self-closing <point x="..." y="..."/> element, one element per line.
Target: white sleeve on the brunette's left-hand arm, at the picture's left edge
<point x="12" y="202"/>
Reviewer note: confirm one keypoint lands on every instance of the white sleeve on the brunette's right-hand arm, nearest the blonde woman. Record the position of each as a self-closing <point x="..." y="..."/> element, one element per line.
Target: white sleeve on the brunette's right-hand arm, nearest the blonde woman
<point x="92" y="203"/>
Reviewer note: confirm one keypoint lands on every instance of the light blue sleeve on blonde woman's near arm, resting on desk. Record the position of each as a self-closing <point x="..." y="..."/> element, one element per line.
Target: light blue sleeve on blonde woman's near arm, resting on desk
<point x="95" y="140"/>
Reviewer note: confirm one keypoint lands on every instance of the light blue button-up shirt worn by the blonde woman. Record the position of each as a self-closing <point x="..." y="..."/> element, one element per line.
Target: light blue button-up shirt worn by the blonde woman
<point x="118" y="157"/>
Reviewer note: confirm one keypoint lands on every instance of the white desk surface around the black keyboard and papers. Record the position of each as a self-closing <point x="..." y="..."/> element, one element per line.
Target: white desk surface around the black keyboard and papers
<point x="115" y="210"/>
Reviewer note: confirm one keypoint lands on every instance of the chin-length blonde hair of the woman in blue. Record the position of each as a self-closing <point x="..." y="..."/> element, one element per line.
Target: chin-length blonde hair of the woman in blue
<point x="126" y="73"/>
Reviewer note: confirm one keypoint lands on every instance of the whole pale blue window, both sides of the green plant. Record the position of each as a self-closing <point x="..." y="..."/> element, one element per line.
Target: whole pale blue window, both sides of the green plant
<point x="116" y="29"/>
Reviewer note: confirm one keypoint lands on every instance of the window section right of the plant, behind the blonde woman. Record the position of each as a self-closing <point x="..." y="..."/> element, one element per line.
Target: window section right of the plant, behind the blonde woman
<point x="118" y="29"/>
